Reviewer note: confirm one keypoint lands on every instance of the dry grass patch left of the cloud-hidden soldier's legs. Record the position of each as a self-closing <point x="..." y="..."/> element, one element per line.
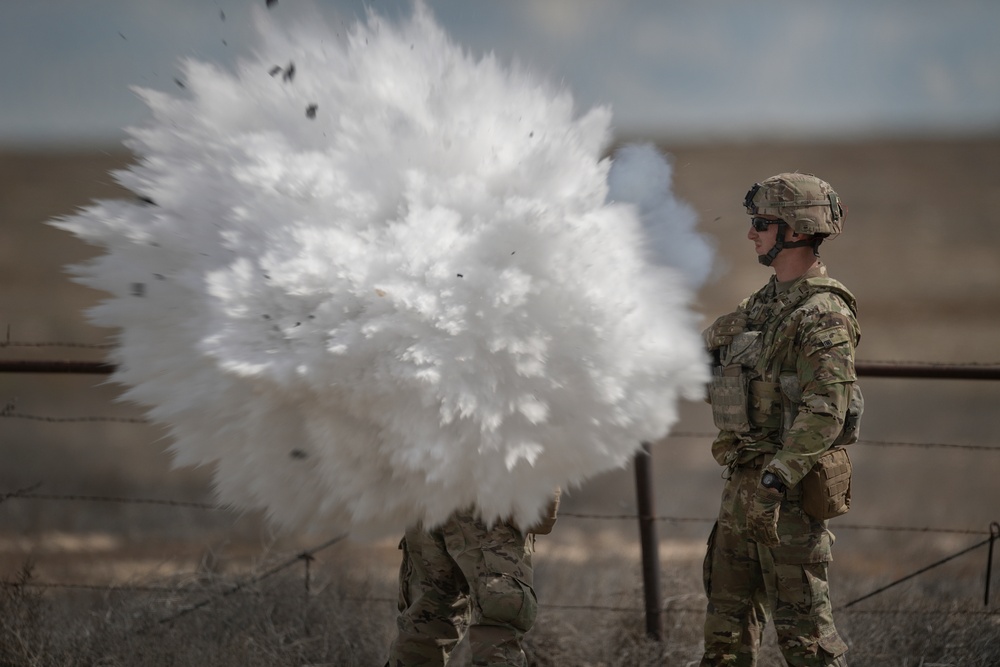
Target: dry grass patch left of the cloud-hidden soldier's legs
<point x="268" y="623"/>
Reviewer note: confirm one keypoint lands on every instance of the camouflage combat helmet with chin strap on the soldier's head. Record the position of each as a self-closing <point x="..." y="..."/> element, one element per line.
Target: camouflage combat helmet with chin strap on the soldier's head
<point x="803" y="202"/>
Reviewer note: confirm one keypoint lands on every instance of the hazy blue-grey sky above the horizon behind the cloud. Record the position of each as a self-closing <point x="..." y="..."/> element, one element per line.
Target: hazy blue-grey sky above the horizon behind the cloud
<point x="682" y="69"/>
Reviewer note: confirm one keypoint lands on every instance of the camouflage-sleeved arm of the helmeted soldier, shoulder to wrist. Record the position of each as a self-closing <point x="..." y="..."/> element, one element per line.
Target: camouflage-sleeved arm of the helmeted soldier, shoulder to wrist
<point x="825" y="369"/>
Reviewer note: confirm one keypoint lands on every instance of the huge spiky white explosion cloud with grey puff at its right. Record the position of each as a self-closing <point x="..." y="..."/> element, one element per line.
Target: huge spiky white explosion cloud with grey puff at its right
<point x="373" y="279"/>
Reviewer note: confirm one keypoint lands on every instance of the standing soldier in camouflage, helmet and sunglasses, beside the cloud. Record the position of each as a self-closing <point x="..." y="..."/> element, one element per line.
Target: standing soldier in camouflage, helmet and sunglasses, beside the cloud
<point x="782" y="384"/>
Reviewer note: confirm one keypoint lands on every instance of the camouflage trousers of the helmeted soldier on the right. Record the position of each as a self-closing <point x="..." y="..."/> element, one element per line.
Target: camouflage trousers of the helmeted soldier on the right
<point x="747" y="584"/>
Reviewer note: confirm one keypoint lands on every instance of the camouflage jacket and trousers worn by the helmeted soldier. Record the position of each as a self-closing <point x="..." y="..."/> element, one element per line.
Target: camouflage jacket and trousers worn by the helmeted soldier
<point x="808" y="333"/>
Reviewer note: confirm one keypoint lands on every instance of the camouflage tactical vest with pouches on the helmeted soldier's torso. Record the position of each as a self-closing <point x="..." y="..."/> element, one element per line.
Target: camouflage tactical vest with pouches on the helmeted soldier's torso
<point x="754" y="392"/>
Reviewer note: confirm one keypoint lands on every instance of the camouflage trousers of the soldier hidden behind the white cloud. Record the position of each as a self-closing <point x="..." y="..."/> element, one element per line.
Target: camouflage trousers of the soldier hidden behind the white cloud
<point x="459" y="578"/>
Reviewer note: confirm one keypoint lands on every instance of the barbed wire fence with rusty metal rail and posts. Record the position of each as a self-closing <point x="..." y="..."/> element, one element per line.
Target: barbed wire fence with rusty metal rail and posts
<point x="654" y="606"/>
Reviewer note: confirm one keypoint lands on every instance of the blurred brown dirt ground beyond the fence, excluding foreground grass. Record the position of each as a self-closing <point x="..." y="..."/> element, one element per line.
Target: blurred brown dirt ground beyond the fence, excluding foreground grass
<point x="920" y="251"/>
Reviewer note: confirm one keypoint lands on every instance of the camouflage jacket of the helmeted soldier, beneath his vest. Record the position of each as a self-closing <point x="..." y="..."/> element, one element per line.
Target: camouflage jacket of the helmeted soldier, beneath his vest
<point x="808" y="333"/>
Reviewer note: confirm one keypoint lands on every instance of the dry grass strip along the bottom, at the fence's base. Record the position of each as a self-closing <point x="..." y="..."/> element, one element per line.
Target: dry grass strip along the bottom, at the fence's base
<point x="345" y="618"/>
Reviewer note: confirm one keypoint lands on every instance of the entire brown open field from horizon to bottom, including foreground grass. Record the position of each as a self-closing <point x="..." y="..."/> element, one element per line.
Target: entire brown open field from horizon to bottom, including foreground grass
<point x="920" y="252"/>
